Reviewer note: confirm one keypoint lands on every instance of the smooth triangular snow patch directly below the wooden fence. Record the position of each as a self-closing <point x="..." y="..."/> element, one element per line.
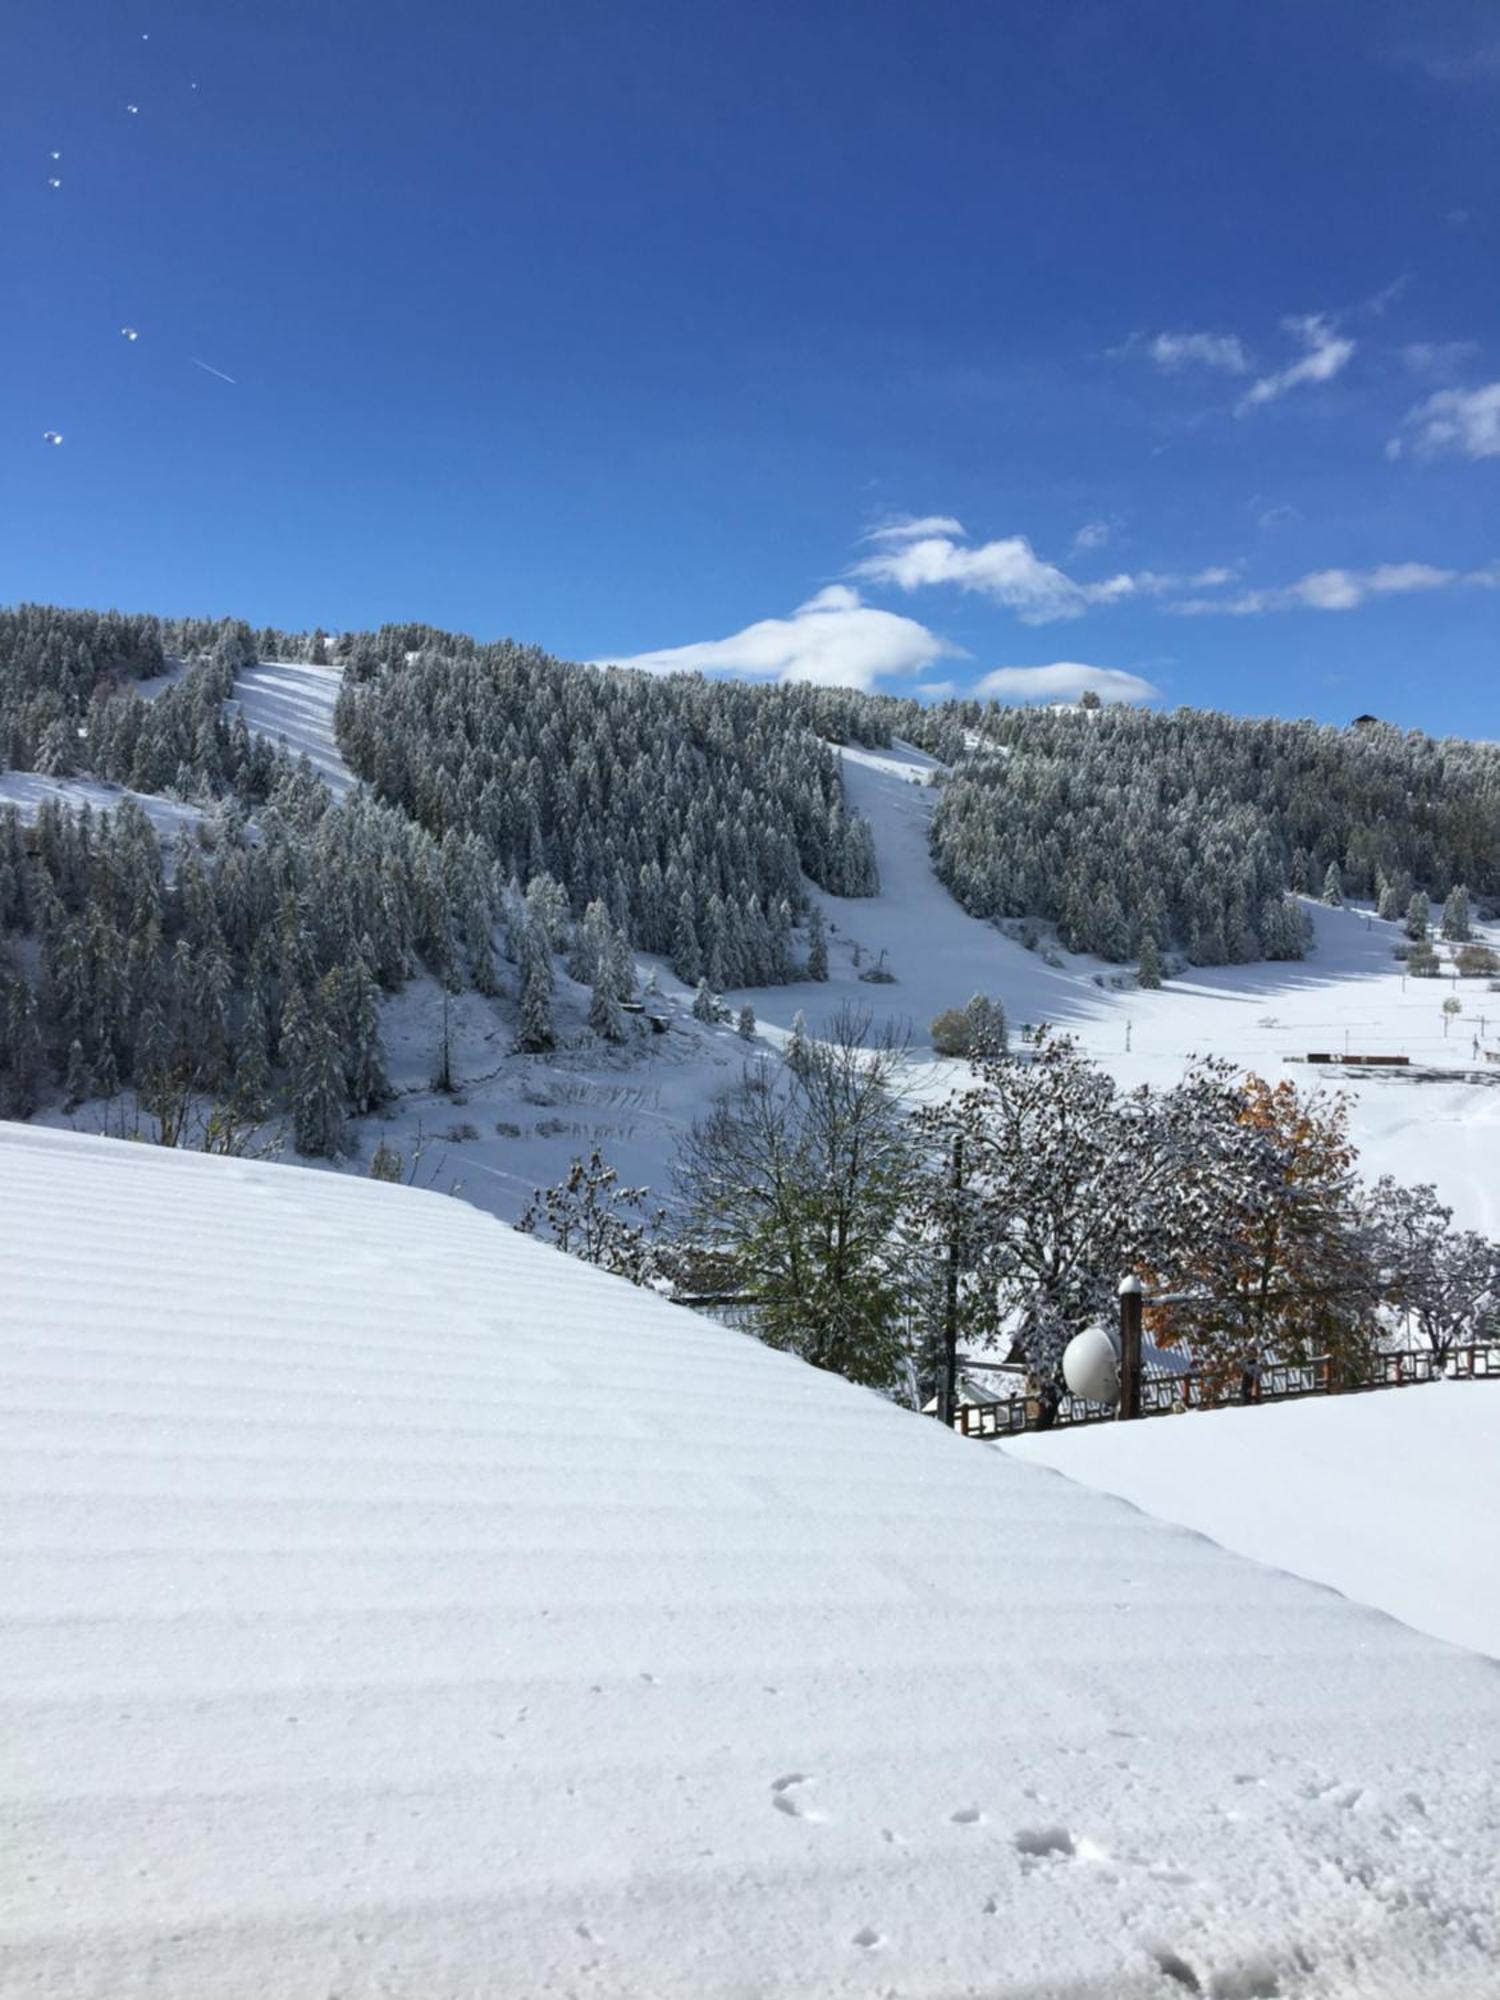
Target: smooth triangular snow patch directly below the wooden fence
<point x="1391" y="1499"/>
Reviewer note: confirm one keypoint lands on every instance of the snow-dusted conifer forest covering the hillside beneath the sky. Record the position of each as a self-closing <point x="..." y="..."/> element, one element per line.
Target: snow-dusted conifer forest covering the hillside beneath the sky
<point x="517" y="807"/>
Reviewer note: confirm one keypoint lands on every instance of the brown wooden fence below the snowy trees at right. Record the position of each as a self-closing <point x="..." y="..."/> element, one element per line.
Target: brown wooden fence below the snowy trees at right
<point x="1165" y="1395"/>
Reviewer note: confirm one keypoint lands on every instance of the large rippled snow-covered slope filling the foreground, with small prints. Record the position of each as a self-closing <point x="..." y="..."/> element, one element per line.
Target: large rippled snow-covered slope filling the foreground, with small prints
<point x="395" y="1607"/>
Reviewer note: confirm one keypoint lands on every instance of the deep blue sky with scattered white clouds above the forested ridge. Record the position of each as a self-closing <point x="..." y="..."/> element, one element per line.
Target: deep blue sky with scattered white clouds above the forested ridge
<point x="877" y="343"/>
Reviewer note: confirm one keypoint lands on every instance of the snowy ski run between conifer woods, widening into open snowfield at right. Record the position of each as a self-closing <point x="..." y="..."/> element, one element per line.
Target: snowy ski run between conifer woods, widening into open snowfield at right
<point x="1263" y="1017"/>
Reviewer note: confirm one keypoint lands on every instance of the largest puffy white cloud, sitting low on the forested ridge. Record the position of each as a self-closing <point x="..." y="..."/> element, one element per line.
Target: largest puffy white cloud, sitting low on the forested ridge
<point x="833" y="639"/>
